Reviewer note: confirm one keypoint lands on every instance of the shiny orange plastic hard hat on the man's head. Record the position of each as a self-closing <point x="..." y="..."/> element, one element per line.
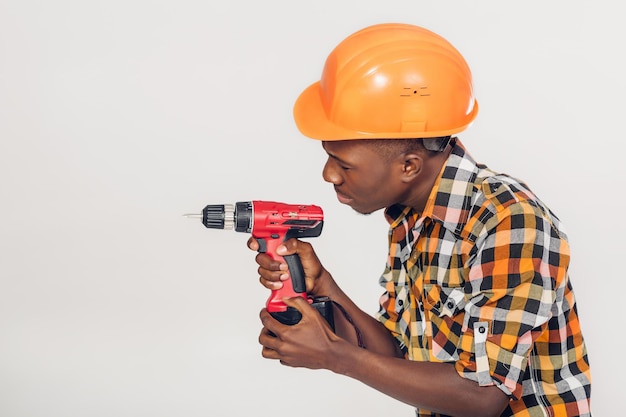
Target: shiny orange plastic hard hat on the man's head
<point x="389" y="80"/>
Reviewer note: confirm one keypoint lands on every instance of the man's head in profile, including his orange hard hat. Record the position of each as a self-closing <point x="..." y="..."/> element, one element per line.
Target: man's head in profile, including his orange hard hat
<point x="381" y="87"/>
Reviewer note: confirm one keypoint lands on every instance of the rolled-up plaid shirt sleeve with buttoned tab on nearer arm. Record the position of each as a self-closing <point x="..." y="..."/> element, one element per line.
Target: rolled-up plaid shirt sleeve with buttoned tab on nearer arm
<point x="519" y="261"/>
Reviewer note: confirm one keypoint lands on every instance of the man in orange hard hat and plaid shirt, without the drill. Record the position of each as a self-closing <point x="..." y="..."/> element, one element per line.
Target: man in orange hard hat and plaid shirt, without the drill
<point x="478" y="316"/>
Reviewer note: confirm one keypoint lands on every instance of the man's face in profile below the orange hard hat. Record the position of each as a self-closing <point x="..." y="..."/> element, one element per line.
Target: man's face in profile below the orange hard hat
<point x="363" y="179"/>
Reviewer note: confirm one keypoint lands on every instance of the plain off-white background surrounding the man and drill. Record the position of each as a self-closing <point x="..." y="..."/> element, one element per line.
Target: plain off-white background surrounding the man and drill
<point x="116" y="117"/>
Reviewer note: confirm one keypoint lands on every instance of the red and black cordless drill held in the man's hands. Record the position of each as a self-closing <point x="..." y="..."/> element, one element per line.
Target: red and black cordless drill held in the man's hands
<point x="272" y="223"/>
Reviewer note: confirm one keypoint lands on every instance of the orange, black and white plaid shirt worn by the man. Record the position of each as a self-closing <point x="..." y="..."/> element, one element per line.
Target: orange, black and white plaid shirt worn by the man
<point x="479" y="279"/>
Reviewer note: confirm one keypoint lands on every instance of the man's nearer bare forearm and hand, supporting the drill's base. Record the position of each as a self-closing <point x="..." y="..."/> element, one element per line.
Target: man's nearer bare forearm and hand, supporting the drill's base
<point x="428" y="385"/>
